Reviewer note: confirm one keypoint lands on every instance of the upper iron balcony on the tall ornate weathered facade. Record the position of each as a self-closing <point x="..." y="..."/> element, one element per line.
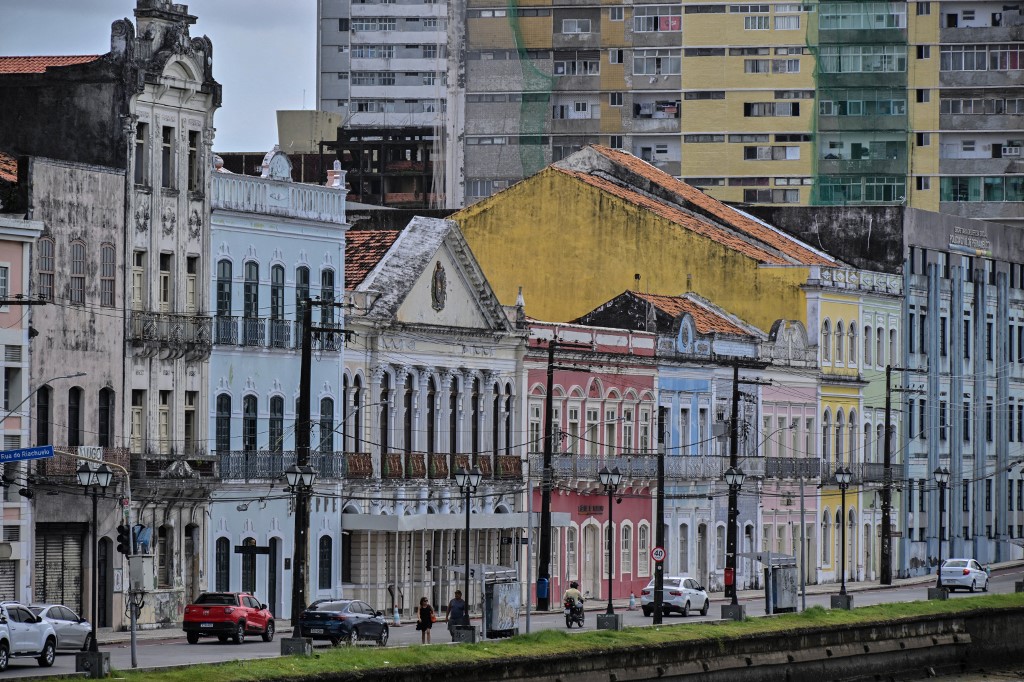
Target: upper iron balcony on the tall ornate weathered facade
<point x="170" y="335"/>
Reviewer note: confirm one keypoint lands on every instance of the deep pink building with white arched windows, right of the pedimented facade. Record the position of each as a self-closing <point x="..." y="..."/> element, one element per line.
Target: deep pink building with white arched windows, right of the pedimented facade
<point x="605" y="404"/>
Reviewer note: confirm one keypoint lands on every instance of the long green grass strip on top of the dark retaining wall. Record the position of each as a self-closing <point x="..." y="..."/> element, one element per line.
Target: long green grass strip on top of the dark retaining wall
<point x="558" y="643"/>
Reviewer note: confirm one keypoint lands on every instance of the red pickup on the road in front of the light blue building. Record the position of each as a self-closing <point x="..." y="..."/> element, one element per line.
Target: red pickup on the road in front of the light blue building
<point x="228" y="616"/>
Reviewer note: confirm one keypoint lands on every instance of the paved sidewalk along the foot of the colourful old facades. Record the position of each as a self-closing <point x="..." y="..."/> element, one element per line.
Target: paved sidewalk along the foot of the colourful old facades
<point x="110" y="636"/>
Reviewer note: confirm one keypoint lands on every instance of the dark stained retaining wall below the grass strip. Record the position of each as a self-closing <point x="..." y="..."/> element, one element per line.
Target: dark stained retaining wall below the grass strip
<point x="908" y="650"/>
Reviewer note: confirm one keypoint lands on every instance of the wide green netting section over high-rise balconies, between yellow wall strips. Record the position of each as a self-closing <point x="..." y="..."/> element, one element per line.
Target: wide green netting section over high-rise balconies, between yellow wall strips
<point x="862" y="122"/>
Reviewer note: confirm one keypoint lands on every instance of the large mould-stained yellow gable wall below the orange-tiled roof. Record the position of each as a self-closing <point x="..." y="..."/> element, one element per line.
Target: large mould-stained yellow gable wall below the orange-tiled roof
<point x="572" y="248"/>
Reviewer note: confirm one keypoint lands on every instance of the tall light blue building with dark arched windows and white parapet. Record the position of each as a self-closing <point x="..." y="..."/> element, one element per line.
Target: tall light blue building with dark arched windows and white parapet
<point x="274" y="242"/>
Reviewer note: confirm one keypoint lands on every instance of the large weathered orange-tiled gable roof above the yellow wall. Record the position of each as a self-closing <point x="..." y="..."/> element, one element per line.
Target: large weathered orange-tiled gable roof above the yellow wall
<point x="626" y="169"/>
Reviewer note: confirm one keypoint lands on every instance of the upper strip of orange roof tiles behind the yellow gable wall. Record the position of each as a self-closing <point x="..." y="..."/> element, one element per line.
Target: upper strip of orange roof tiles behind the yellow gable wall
<point x="729" y="216"/>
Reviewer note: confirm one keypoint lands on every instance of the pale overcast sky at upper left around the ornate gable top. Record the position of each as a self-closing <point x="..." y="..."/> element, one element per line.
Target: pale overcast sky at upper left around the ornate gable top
<point x="265" y="53"/>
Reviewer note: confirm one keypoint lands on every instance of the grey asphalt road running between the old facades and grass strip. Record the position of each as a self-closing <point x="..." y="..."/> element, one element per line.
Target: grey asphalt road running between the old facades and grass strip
<point x="175" y="652"/>
